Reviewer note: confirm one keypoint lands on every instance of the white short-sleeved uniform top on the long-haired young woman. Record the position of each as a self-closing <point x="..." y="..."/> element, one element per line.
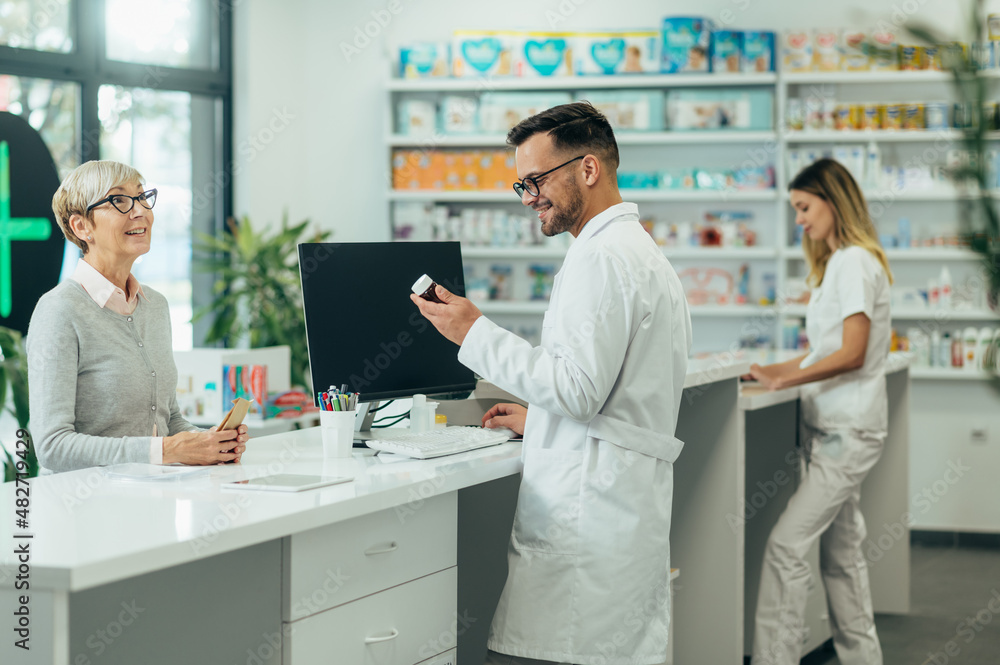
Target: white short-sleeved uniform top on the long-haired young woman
<point x="854" y="282"/>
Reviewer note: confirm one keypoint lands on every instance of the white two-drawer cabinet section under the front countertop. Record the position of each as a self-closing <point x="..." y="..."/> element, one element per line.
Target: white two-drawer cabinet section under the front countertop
<point x="379" y="589"/>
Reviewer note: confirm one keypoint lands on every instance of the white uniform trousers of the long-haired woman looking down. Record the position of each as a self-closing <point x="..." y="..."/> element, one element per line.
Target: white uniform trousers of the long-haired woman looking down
<point x="825" y="506"/>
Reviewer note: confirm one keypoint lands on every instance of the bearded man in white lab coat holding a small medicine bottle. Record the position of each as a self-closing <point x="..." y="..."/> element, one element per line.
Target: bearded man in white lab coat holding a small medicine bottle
<point x="589" y="556"/>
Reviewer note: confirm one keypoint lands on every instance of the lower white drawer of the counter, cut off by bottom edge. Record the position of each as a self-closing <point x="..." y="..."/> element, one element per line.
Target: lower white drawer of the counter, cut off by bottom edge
<point x="408" y="624"/>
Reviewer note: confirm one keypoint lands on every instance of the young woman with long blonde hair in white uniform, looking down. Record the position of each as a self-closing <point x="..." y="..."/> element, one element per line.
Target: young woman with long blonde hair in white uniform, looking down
<point x="845" y="411"/>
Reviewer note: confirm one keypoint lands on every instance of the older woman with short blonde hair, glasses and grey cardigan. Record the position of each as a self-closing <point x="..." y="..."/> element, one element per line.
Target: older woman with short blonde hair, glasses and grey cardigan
<point x="101" y="373"/>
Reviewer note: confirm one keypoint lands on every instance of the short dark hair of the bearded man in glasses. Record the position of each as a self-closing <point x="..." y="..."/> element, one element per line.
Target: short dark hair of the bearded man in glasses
<point x="572" y="127"/>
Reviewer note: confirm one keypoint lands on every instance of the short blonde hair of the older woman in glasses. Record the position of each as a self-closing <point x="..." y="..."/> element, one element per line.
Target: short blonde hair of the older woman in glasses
<point x="86" y="185"/>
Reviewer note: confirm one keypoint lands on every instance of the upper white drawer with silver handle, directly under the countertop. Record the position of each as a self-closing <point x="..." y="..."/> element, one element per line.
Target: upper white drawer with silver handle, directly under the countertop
<point x="335" y="564"/>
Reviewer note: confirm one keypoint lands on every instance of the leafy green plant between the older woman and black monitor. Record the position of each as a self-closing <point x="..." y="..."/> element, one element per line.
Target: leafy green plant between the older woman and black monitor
<point x="257" y="296"/>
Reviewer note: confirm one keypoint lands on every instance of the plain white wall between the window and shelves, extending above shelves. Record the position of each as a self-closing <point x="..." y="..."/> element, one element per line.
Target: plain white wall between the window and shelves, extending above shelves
<point x="329" y="162"/>
